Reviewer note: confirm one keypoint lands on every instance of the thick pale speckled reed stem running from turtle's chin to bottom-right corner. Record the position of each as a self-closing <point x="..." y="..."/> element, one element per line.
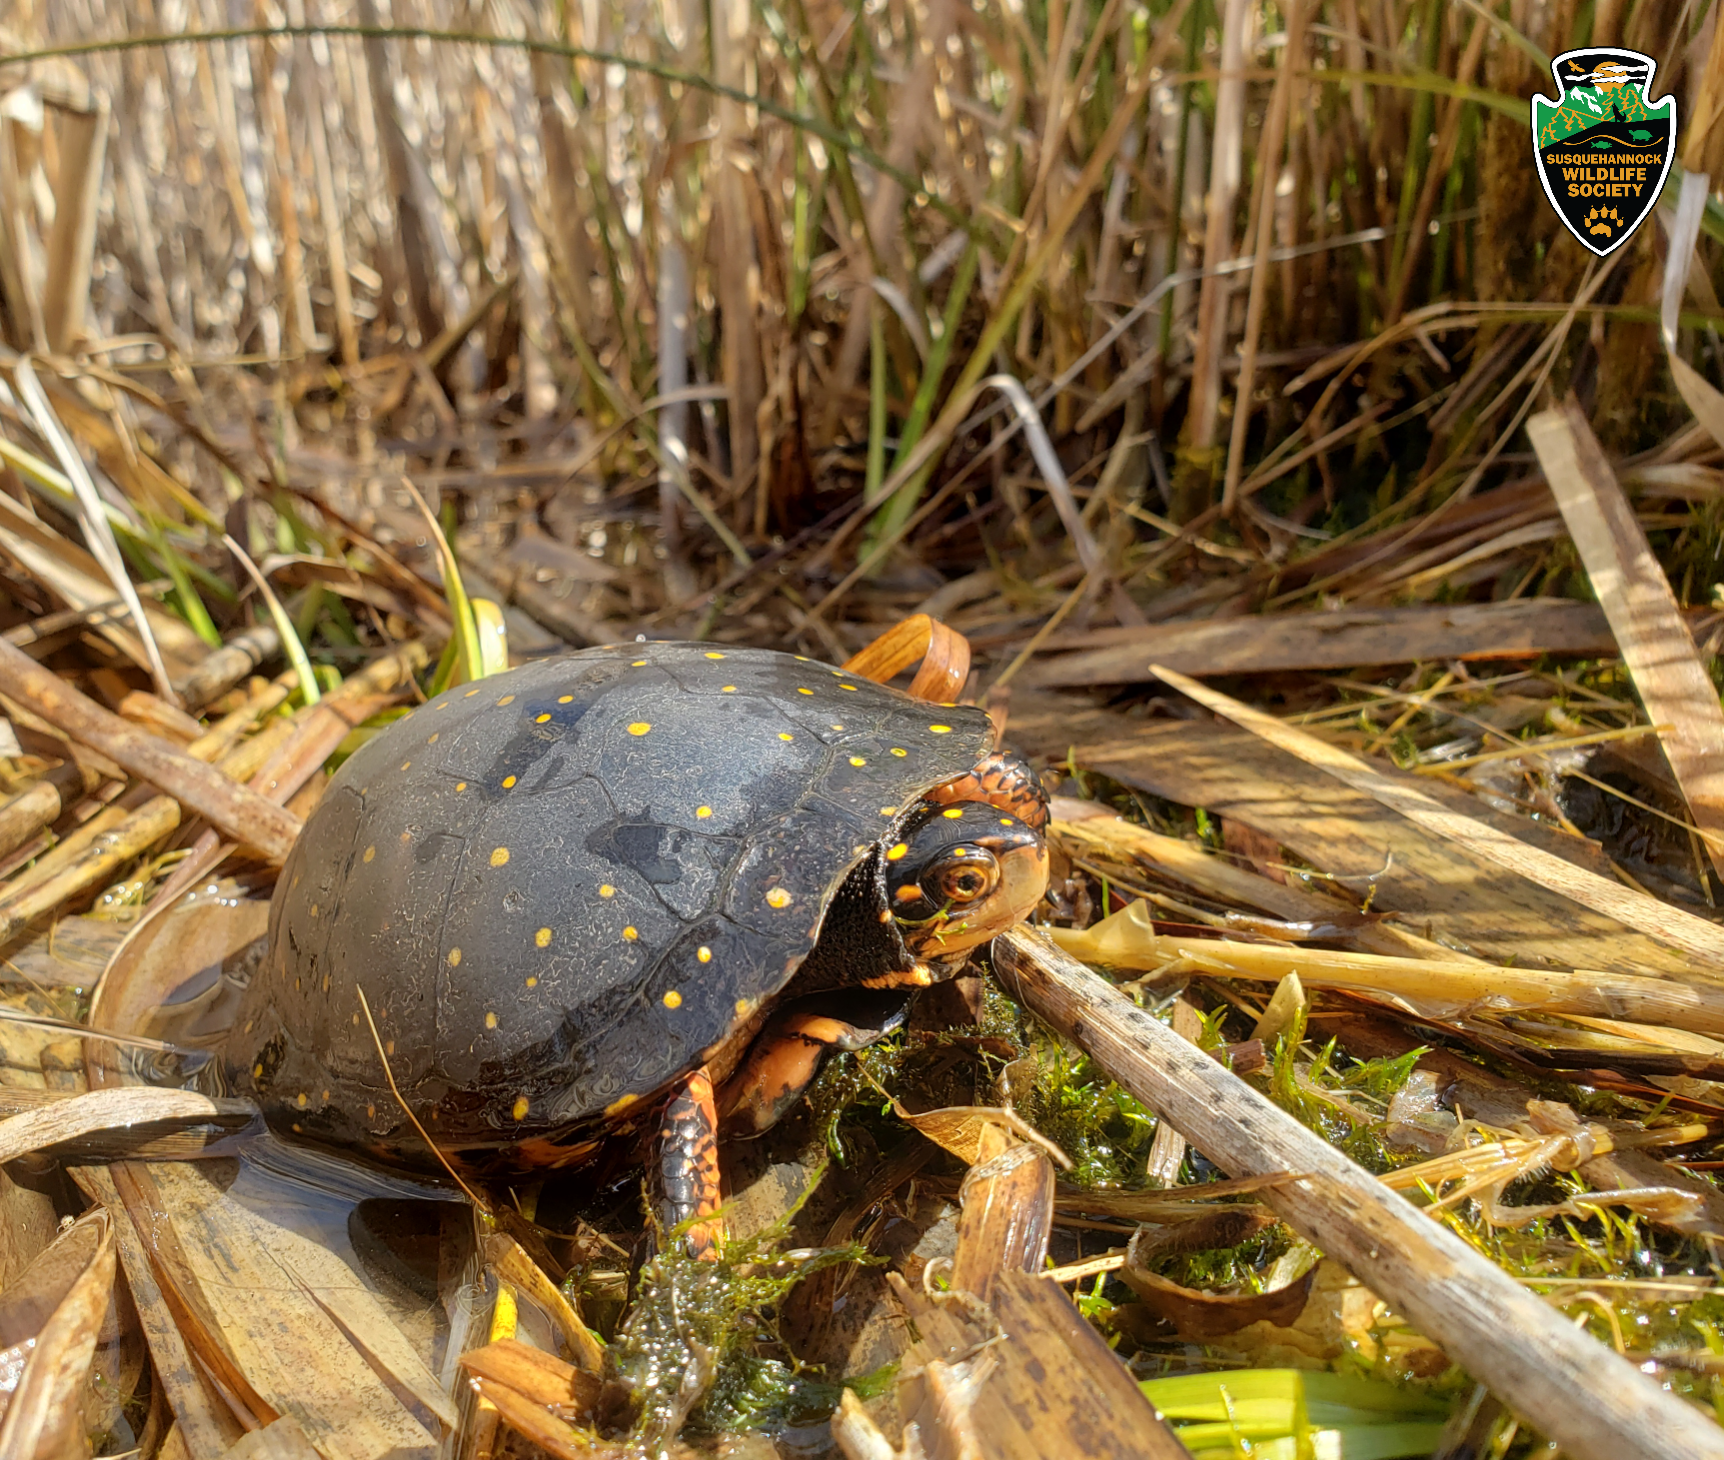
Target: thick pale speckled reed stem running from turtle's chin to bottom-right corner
<point x="1528" y="1354"/>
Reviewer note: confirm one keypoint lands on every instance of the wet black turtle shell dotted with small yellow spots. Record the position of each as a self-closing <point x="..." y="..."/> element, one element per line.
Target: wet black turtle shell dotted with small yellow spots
<point x="570" y="885"/>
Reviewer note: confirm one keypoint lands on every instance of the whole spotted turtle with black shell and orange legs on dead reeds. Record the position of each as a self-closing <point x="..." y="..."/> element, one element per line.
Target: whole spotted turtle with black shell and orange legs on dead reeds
<point x="634" y="883"/>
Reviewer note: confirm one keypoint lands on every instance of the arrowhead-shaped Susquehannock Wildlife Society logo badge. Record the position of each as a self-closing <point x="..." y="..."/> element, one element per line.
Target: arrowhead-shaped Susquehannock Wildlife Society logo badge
<point x="1604" y="147"/>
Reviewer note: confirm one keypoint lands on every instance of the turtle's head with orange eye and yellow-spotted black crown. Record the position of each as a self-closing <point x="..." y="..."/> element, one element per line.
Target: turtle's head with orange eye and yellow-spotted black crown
<point x="963" y="873"/>
